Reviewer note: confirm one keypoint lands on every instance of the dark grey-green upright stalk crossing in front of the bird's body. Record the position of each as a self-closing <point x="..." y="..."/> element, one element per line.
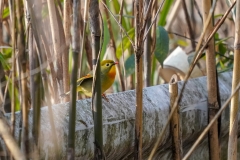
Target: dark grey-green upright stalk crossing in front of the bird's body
<point x="96" y="88"/>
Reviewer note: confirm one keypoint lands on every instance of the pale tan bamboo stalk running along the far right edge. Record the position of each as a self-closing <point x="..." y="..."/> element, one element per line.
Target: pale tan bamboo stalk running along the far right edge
<point x="233" y="129"/>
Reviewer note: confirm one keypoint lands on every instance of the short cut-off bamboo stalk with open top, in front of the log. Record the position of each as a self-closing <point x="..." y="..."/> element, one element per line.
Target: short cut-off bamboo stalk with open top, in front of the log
<point x="175" y="124"/>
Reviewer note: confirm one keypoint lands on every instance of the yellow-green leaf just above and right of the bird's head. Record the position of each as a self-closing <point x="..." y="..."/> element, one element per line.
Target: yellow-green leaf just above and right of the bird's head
<point x="126" y="43"/>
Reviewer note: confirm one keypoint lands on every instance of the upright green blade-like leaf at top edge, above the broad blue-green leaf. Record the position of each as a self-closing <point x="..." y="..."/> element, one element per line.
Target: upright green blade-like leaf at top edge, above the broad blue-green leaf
<point x="164" y="12"/>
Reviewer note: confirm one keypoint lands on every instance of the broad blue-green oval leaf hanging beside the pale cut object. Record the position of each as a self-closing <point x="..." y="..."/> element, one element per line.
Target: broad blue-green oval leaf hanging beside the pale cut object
<point x="162" y="45"/>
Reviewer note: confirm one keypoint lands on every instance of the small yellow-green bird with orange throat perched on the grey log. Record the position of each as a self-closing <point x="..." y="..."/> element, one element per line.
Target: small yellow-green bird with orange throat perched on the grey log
<point x="108" y="73"/>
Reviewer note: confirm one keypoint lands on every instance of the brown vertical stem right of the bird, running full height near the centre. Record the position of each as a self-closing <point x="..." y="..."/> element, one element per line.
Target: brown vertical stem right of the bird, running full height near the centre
<point x="139" y="79"/>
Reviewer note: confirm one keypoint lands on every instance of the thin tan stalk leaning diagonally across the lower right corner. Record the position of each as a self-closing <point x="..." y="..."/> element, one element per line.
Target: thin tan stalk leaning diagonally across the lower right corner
<point x="205" y="131"/>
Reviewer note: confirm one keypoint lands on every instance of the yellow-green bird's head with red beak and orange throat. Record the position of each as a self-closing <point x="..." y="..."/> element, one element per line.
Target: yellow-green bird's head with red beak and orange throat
<point x="108" y="67"/>
